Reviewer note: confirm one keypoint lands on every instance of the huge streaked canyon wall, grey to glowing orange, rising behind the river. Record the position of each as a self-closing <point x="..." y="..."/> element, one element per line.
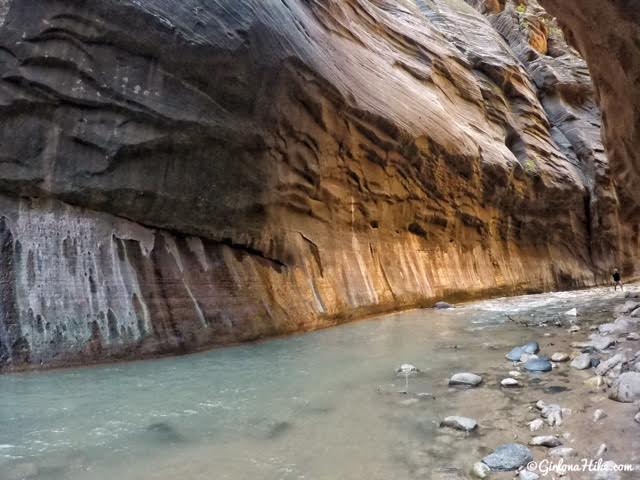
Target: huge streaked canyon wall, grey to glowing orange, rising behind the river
<point x="177" y="175"/>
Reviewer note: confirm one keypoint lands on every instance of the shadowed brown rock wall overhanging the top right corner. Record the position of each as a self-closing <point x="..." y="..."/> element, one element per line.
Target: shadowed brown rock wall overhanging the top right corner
<point x="608" y="36"/>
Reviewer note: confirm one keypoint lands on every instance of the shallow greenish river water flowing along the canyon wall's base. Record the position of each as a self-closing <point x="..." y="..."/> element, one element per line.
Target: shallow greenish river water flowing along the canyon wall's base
<point x="323" y="405"/>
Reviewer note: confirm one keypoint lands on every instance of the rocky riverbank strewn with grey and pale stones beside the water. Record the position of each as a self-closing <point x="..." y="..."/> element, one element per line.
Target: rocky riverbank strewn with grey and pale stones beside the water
<point x="564" y="405"/>
